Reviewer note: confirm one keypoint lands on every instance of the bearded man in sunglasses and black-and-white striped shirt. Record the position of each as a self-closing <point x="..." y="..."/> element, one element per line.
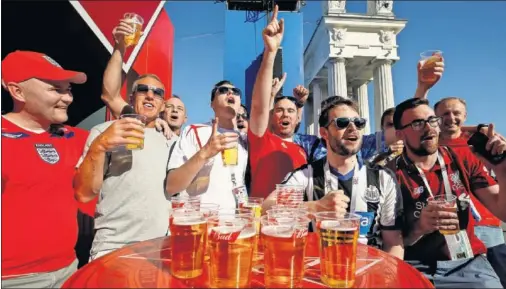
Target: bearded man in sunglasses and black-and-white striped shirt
<point x="341" y="182"/>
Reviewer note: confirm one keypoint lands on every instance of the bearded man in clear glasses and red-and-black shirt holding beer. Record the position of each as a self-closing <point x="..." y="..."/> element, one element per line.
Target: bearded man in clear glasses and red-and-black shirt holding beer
<point x="428" y="170"/>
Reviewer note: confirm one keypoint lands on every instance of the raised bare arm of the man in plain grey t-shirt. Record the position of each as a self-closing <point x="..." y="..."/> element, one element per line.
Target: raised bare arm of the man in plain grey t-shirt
<point x="111" y="85"/>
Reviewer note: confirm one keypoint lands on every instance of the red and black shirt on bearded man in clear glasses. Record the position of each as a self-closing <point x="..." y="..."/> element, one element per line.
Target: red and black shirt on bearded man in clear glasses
<point x="466" y="174"/>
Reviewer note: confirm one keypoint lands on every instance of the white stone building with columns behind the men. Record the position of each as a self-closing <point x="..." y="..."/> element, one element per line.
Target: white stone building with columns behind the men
<point x="346" y="52"/>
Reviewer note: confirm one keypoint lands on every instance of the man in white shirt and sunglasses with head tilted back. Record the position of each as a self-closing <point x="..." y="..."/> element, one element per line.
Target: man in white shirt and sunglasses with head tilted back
<point x="196" y="164"/>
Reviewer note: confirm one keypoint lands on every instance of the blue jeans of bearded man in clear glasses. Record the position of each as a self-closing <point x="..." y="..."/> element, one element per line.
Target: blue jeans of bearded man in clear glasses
<point x="471" y="273"/>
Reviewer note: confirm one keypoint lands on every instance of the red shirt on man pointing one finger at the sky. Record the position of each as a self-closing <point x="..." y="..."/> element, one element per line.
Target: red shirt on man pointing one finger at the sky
<point x="271" y="160"/>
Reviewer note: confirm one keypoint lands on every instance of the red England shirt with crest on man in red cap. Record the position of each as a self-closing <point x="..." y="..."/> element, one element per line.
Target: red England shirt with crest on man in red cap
<point x="39" y="211"/>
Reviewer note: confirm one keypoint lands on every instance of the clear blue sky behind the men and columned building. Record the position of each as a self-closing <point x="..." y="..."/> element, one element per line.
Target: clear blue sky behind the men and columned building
<point x="471" y="35"/>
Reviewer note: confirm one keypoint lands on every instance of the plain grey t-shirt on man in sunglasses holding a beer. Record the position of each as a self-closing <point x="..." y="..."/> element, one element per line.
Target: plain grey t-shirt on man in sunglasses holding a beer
<point x="132" y="205"/>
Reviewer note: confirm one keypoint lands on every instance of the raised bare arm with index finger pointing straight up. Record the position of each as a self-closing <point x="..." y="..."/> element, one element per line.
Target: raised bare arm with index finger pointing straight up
<point x="260" y="102"/>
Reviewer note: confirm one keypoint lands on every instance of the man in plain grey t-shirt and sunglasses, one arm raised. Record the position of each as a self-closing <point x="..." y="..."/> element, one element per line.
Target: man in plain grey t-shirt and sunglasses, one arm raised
<point x="132" y="205"/>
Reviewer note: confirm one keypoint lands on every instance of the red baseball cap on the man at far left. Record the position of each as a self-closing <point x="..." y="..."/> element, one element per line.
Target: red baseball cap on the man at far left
<point x="20" y="65"/>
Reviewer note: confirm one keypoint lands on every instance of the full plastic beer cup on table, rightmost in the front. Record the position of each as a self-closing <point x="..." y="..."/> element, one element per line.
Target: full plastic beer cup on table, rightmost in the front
<point x="338" y="237"/>
